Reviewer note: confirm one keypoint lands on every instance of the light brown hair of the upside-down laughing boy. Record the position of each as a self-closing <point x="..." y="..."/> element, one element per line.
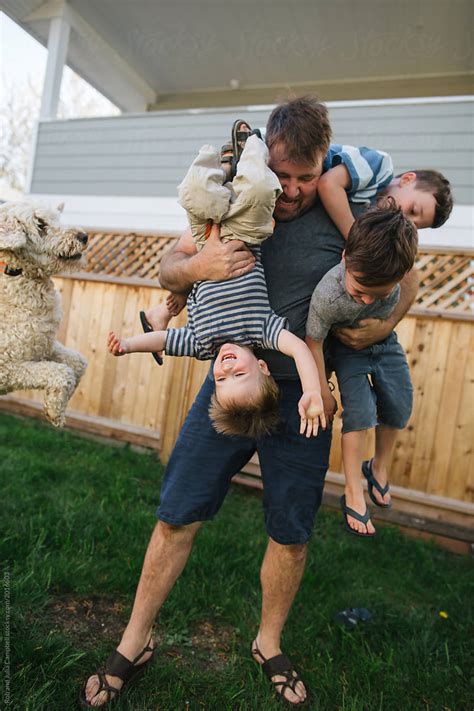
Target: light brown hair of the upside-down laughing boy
<point x="254" y="419"/>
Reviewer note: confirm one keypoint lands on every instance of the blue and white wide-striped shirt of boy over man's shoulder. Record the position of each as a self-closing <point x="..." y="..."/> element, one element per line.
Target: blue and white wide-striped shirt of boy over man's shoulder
<point x="369" y="170"/>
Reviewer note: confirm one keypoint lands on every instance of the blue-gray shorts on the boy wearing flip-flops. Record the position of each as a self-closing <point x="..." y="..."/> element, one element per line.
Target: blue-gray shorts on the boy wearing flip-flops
<point x="374" y="383"/>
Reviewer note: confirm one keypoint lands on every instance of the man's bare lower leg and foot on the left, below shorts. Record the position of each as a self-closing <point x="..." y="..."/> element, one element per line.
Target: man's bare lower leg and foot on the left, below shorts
<point x="166" y="556"/>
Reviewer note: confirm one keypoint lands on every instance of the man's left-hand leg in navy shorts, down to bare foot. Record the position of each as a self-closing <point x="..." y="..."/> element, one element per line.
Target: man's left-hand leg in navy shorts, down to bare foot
<point x="196" y="481"/>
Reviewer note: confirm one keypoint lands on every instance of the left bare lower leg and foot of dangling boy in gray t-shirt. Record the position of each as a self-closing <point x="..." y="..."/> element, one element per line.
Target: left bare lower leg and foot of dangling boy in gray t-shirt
<point x="353" y="444"/>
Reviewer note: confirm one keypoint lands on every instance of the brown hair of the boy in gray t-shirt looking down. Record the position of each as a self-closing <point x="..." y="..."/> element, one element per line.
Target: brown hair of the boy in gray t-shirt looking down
<point x="382" y="245"/>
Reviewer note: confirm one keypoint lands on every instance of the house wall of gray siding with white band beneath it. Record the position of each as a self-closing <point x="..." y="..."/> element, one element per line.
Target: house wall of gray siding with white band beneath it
<point x="122" y="172"/>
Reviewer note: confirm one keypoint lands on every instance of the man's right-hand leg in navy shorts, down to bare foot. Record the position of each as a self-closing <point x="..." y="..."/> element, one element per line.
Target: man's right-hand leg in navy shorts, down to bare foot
<point x="293" y="472"/>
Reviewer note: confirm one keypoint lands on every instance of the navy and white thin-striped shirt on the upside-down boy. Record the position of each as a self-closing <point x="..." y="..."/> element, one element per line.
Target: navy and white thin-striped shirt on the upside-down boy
<point x="235" y="311"/>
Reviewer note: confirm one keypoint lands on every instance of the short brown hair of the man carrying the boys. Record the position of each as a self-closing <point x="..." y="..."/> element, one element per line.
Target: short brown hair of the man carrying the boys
<point x="302" y="125"/>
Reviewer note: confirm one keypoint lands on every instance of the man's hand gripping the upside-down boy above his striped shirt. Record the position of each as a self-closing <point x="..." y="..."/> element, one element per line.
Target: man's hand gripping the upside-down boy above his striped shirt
<point x="218" y="261"/>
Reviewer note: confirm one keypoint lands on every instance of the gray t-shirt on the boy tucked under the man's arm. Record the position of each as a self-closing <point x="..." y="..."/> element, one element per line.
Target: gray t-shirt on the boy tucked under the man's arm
<point x="331" y="305"/>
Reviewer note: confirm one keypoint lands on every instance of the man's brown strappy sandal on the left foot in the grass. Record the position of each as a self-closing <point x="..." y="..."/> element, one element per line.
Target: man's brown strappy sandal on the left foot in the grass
<point x="121" y="667"/>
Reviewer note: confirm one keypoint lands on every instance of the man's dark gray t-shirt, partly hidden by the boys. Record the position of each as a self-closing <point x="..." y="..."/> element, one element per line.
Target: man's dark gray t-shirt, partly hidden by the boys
<point x="295" y="258"/>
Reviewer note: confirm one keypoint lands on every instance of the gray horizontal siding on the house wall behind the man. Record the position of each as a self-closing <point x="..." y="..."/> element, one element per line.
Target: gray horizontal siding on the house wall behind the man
<point x="147" y="155"/>
